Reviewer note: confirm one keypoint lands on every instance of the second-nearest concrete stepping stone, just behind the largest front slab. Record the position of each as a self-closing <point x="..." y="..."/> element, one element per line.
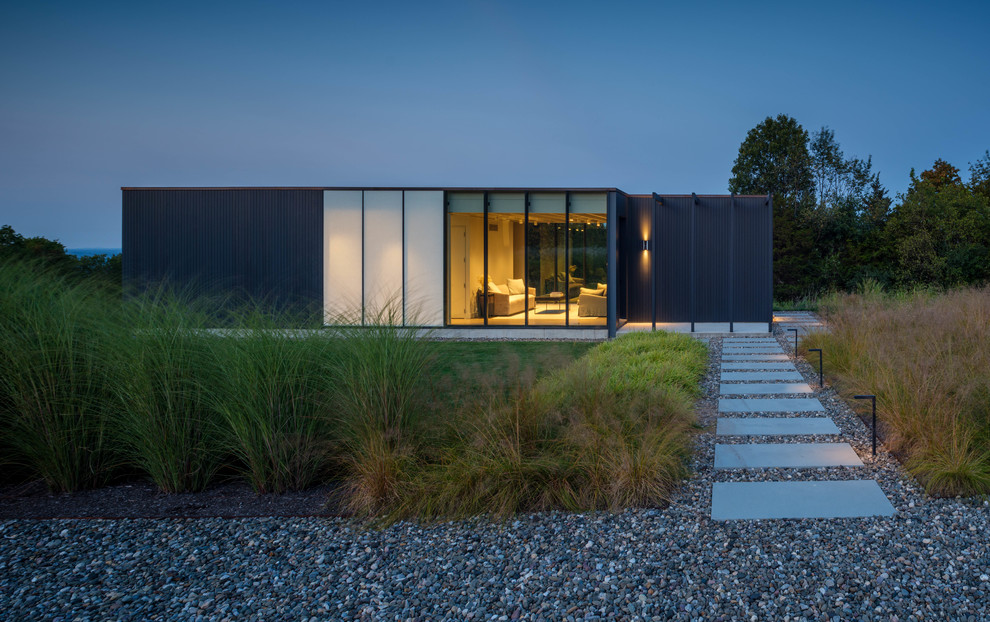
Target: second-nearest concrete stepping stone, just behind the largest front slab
<point x="785" y="455"/>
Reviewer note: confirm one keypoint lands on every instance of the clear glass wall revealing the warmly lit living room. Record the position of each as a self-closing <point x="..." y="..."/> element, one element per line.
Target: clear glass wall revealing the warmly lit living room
<point x="530" y="259"/>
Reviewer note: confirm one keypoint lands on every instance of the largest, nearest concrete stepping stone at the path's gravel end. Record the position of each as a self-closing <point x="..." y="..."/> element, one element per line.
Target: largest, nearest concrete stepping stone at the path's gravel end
<point x="765" y="500"/>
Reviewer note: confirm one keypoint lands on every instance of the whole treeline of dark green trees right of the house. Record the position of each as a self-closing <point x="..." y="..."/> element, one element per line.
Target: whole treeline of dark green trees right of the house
<point x="835" y="225"/>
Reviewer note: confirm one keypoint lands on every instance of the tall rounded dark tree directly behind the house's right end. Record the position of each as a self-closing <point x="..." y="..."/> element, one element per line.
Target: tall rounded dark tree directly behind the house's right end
<point x="774" y="159"/>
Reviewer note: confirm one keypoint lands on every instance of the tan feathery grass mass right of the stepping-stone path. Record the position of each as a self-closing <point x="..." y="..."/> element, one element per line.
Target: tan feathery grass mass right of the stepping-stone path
<point x="925" y="355"/>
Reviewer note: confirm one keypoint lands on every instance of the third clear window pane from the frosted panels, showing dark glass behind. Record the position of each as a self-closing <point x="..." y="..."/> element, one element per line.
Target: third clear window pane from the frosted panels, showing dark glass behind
<point x="547" y="264"/>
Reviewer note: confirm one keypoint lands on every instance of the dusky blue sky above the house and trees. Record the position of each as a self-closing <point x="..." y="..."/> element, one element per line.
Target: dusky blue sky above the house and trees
<point x="648" y="96"/>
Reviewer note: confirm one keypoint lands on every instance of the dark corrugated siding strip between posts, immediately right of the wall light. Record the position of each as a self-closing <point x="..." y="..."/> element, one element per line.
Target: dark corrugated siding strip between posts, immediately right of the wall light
<point x="673" y="259"/>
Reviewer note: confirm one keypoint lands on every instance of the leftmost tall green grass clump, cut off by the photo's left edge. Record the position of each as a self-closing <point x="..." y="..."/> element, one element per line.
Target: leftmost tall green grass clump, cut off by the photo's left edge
<point x="53" y="399"/>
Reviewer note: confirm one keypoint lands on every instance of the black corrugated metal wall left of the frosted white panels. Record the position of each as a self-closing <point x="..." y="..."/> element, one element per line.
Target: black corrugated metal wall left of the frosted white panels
<point x="263" y="244"/>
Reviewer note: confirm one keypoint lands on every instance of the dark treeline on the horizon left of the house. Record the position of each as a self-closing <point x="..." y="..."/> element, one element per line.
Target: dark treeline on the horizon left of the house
<point x="50" y="255"/>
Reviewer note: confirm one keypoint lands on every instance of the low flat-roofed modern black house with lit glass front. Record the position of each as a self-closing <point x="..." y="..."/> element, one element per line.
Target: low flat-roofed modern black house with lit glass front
<point x="574" y="258"/>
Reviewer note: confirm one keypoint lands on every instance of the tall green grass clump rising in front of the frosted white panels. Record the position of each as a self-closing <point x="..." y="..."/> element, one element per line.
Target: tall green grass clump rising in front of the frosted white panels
<point x="382" y="390"/>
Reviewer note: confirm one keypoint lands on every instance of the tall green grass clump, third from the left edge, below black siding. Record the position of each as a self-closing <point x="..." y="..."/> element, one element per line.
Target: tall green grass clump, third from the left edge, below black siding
<point x="266" y="385"/>
